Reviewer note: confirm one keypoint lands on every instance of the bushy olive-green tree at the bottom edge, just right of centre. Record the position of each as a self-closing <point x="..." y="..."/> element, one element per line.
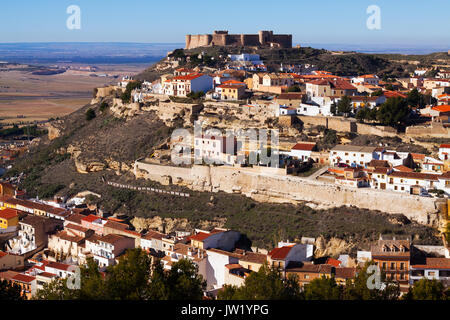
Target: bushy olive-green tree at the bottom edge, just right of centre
<point x="266" y="284"/>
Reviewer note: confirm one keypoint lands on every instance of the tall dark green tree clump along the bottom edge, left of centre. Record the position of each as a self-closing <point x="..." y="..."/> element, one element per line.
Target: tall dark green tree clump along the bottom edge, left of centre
<point x="134" y="278"/>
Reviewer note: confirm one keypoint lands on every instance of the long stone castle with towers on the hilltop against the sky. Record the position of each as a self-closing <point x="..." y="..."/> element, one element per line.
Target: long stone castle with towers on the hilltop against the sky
<point x="222" y="38"/>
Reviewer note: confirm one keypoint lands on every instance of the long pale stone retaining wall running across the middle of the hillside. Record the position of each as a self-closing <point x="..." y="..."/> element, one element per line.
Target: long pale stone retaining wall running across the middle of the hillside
<point x="265" y="186"/>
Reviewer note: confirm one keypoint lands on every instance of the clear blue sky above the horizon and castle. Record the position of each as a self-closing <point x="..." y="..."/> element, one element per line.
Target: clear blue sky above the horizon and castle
<point x="325" y="21"/>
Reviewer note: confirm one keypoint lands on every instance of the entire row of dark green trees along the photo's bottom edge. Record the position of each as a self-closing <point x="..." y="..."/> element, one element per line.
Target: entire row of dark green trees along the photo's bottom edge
<point x="136" y="278"/>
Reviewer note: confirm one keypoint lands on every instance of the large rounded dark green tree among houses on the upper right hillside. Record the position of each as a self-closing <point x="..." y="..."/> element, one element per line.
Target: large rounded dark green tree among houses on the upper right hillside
<point x="393" y="112"/>
